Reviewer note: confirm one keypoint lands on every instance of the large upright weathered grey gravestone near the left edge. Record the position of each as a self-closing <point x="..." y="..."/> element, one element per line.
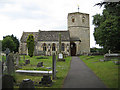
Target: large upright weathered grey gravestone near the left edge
<point x="10" y="64"/>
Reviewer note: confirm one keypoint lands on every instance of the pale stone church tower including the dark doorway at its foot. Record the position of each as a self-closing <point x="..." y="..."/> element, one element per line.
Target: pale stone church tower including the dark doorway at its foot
<point x="78" y="26"/>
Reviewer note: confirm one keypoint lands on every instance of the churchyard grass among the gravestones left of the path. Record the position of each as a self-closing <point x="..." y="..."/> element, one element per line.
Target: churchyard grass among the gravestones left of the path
<point x="61" y="67"/>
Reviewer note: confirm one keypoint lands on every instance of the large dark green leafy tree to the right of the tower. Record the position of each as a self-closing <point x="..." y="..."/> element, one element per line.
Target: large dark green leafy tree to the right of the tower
<point x="107" y="30"/>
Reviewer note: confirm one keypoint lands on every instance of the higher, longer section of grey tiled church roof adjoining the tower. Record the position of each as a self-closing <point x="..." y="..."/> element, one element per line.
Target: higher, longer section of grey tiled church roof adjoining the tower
<point x="53" y="35"/>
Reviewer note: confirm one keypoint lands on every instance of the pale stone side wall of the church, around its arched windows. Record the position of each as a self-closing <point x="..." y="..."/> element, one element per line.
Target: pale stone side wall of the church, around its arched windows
<point x="39" y="48"/>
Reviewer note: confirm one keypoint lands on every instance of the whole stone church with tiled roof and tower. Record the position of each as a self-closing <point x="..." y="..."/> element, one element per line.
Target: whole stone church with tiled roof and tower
<point x="74" y="41"/>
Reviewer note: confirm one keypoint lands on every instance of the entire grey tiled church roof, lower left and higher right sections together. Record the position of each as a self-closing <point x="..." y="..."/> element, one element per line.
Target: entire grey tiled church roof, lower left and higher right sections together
<point x="46" y="36"/>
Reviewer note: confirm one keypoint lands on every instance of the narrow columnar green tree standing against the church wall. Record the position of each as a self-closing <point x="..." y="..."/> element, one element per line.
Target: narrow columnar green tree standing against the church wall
<point x="30" y="45"/>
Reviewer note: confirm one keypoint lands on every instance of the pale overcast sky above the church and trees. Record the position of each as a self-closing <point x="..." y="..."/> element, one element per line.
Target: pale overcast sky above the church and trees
<point x="17" y="16"/>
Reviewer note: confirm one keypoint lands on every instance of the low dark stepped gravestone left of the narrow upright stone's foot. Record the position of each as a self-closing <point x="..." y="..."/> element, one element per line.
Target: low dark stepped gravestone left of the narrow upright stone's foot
<point x="46" y="80"/>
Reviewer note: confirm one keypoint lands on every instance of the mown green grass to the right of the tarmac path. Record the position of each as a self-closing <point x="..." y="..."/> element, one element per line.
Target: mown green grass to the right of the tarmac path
<point x="106" y="71"/>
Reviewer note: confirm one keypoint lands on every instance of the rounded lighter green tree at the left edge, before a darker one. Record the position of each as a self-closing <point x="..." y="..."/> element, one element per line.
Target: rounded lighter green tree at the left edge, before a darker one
<point x="8" y="43"/>
